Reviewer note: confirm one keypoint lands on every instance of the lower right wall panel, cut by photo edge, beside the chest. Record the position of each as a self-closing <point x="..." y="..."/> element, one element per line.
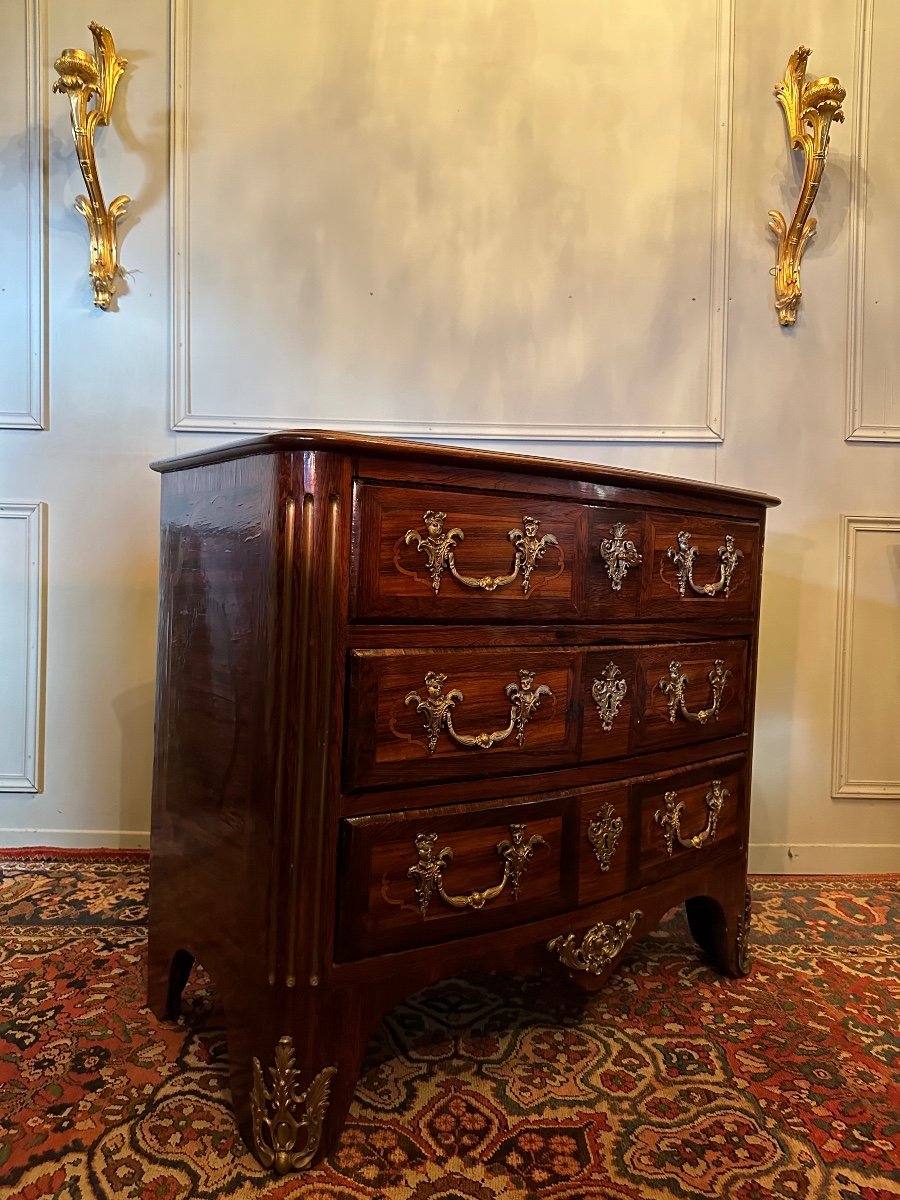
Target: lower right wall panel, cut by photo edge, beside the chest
<point x="867" y="747"/>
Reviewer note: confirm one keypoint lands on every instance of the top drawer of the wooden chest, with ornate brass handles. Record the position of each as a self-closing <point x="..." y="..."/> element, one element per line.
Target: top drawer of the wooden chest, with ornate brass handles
<point x="435" y="555"/>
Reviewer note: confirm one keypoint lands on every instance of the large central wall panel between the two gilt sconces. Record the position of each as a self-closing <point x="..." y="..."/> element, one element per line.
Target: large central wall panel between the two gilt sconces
<point x="452" y="220"/>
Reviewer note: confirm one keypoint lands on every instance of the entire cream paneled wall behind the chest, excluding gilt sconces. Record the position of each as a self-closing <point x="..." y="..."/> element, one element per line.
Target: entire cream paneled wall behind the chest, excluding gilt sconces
<point x="536" y="226"/>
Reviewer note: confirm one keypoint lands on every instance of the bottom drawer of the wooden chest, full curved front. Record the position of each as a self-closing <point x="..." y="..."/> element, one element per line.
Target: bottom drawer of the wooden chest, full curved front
<point x="425" y="877"/>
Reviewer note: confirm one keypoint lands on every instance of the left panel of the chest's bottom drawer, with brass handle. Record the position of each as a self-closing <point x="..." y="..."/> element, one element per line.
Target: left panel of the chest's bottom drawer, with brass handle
<point x="434" y="875"/>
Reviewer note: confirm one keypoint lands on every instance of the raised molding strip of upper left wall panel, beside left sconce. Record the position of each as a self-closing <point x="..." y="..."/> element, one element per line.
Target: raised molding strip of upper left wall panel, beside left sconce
<point x="32" y="412"/>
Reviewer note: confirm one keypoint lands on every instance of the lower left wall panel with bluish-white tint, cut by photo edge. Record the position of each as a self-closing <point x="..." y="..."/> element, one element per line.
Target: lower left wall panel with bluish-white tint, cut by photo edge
<point x="22" y="605"/>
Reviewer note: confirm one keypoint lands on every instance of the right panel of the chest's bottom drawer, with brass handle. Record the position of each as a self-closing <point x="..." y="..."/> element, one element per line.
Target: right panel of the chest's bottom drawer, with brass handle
<point x="691" y="815"/>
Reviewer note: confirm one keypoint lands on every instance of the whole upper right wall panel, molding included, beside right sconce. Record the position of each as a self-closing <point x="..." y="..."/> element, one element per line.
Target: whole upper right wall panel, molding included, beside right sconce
<point x="873" y="345"/>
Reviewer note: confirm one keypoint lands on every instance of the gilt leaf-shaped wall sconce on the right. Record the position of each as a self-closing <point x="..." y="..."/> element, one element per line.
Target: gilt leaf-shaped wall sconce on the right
<point x="809" y="110"/>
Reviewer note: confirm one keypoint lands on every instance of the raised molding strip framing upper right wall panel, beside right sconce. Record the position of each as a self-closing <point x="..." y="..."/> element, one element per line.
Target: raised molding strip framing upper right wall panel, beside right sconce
<point x="861" y="428"/>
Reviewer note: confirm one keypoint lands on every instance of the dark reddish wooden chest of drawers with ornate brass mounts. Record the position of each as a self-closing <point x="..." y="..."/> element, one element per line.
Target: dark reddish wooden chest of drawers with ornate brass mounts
<point x="422" y="710"/>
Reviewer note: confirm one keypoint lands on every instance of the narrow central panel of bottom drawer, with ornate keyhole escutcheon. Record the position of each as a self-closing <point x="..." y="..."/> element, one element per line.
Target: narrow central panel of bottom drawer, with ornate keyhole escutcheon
<point x="604" y="843"/>
